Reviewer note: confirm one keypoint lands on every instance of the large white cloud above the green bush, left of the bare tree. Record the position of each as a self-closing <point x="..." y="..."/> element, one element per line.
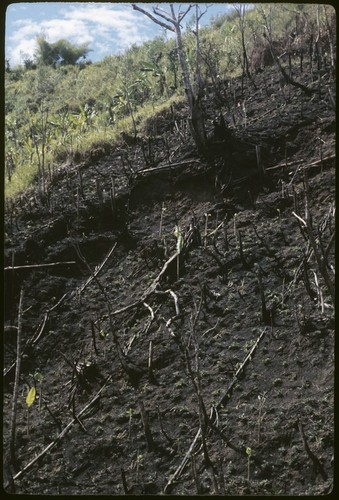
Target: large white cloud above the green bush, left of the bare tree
<point x="108" y="28"/>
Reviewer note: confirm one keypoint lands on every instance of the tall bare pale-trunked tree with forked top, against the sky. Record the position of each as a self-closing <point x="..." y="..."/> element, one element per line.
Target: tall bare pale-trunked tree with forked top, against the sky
<point x="172" y="23"/>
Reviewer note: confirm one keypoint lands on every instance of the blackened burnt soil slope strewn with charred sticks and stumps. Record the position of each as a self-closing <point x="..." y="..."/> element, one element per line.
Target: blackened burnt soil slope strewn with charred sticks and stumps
<point x="244" y="333"/>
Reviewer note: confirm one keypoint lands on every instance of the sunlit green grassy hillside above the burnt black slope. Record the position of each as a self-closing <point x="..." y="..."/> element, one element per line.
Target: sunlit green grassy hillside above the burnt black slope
<point x="54" y="114"/>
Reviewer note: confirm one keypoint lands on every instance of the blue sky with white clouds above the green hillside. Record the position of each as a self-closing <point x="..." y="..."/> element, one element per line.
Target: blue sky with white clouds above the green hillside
<point x="109" y="28"/>
